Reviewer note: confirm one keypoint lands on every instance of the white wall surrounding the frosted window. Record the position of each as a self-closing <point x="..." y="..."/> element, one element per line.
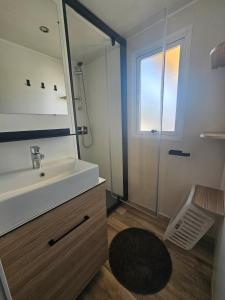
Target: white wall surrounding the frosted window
<point x="204" y="111"/>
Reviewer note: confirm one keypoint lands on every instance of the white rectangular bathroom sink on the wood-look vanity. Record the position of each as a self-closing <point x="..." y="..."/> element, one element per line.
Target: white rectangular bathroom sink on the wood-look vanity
<point x="27" y="194"/>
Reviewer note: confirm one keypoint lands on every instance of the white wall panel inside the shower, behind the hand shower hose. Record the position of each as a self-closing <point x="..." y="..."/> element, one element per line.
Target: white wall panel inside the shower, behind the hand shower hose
<point x="96" y="97"/>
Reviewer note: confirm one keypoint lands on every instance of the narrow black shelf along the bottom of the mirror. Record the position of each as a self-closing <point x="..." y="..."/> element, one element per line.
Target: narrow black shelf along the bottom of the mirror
<point x="13" y="136"/>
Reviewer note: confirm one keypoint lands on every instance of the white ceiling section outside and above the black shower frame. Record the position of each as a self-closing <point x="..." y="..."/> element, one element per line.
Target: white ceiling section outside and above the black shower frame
<point x="127" y="17"/>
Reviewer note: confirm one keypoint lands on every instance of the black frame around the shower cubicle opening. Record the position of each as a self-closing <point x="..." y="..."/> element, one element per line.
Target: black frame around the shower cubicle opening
<point x="115" y="37"/>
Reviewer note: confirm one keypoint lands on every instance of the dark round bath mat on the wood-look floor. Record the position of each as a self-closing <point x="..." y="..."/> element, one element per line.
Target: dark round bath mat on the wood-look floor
<point x="140" y="261"/>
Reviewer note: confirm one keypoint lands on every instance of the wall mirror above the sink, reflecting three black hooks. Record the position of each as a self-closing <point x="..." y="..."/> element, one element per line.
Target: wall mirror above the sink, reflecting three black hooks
<point x="31" y="65"/>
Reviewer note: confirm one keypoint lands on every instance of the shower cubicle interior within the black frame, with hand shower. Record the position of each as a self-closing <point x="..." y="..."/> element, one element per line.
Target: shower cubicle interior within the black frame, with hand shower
<point x="97" y="90"/>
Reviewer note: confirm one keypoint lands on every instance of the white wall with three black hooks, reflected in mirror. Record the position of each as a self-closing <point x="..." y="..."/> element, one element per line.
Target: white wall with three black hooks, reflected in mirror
<point x="17" y="64"/>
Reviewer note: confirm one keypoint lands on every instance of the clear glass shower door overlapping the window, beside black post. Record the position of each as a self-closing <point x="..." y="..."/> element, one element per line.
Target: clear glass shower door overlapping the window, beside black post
<point x="145" y="110"/>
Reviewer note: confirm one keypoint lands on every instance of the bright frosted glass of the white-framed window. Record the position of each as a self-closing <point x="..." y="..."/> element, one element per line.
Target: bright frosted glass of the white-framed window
<point x="150" y="89"/>
